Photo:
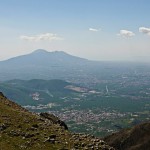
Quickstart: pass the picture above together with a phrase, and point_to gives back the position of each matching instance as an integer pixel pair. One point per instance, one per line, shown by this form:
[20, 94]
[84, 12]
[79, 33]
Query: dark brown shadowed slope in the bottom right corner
[136, 138]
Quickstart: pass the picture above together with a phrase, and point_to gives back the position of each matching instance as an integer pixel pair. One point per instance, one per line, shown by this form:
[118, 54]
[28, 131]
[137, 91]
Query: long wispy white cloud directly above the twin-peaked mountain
[41, 37]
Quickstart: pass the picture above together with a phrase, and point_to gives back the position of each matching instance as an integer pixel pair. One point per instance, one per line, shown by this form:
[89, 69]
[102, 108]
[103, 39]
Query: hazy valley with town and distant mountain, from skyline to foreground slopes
[90, 96]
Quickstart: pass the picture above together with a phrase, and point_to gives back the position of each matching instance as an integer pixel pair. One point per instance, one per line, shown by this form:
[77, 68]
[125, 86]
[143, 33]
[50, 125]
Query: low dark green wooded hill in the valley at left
[21, 91]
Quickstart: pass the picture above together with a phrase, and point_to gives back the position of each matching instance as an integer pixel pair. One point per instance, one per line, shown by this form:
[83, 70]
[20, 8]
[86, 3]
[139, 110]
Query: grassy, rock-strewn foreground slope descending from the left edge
[21, 129]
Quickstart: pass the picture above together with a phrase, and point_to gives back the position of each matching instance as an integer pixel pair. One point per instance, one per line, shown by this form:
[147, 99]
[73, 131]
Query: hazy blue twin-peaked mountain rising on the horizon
[41, 56]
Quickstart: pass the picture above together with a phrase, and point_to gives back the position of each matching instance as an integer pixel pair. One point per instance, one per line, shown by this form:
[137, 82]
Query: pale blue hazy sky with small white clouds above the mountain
[93, 29]
